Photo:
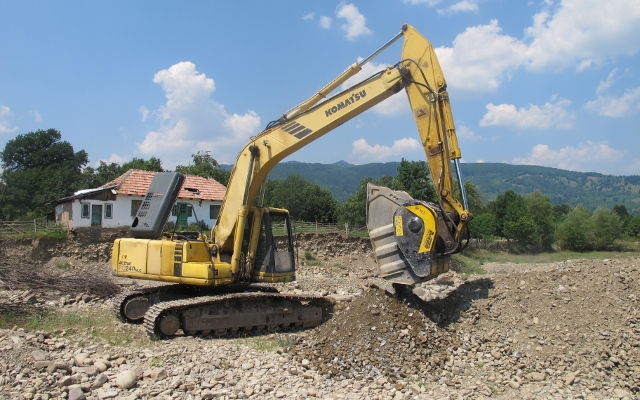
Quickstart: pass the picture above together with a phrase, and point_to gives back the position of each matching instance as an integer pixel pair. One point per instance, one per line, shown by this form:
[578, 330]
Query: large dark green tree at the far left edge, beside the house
[38, 167]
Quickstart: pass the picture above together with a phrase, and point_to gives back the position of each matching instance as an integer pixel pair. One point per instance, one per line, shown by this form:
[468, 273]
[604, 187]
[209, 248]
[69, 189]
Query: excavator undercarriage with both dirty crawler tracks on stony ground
[170, 310]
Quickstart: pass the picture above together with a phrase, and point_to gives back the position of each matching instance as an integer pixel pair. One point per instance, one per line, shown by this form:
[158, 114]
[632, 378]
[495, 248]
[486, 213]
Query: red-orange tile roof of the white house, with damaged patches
[136, 182]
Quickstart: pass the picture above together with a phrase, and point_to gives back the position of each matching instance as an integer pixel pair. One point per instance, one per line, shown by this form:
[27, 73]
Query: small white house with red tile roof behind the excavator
[114, 204]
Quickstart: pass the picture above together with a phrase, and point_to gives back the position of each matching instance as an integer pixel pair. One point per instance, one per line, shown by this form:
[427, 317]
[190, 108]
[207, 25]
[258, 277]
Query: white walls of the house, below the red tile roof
[121, 212]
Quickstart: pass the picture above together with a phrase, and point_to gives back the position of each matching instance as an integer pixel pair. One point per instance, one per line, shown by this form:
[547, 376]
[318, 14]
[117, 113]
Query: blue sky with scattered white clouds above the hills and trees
[553, 82]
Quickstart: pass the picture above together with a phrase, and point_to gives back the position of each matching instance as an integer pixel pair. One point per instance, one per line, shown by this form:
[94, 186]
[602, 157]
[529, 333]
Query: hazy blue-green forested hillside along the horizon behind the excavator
[587, 188]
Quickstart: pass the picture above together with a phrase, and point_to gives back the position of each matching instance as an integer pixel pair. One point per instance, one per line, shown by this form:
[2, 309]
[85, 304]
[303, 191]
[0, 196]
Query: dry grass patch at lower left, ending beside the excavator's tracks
[99, 324]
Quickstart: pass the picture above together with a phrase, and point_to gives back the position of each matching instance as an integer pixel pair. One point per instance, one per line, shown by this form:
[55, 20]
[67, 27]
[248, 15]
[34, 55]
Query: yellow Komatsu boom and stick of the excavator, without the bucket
[418, 73]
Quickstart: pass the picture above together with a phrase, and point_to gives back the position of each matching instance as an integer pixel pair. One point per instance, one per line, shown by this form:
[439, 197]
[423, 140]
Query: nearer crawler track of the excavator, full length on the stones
[237, 312]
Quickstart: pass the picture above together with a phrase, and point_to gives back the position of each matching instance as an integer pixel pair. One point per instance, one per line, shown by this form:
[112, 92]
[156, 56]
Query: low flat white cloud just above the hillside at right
[588, 156]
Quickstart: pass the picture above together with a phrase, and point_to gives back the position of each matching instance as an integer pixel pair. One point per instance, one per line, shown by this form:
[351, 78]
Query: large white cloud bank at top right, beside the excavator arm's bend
[576, 34]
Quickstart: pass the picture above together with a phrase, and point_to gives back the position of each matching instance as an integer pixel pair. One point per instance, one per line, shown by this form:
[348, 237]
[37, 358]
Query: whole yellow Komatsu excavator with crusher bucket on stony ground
[214, 278]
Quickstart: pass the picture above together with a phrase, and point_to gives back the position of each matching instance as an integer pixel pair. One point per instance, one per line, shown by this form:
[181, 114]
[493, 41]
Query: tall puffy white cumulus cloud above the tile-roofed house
[192, 120]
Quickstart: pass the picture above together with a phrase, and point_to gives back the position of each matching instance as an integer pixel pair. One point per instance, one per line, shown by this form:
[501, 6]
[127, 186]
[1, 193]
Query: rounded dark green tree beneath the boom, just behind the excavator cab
[305, 200]
